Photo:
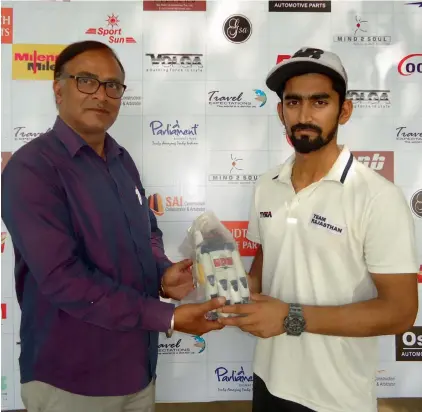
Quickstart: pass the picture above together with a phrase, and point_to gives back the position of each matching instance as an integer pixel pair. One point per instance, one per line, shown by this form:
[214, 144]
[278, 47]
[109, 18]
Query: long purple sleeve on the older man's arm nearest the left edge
[35, 211]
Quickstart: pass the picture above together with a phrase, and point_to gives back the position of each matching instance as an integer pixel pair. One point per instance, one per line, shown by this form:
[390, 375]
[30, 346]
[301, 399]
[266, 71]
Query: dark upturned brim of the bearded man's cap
[286, 70]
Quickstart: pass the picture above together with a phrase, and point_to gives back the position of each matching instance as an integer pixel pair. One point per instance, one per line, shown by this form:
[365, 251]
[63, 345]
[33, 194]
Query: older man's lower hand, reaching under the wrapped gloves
[191, 318]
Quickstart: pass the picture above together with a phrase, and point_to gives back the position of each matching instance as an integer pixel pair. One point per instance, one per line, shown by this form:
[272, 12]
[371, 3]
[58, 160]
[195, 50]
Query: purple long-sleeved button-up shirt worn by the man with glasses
[89, 259]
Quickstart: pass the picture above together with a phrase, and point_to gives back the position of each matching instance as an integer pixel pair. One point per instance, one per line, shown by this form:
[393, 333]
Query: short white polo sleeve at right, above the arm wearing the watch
[389, 244]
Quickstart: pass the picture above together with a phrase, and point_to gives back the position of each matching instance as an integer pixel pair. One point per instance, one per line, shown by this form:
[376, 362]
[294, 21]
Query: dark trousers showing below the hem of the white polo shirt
[264, 401]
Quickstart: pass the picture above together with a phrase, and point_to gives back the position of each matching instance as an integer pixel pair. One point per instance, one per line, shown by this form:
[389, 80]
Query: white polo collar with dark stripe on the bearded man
[337, 173]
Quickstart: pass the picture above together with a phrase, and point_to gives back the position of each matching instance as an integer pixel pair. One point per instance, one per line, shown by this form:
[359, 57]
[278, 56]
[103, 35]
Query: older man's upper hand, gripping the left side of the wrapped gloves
[177, 280]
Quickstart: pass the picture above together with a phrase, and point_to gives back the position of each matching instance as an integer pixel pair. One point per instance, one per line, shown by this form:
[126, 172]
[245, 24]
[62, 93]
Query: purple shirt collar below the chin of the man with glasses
[73, 142]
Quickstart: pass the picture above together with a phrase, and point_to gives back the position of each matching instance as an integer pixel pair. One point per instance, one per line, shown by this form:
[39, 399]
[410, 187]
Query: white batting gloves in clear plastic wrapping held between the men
[217, 267]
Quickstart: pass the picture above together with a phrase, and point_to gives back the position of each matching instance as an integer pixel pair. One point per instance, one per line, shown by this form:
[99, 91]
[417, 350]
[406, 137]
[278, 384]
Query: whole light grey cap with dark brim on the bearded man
[306, 60]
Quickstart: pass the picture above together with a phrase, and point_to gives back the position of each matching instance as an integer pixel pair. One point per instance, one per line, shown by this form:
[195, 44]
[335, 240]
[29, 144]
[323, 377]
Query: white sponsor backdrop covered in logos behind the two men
[202, 126]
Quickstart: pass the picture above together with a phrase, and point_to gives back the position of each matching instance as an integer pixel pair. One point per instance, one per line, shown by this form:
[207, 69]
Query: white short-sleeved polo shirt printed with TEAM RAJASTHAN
[319, 246]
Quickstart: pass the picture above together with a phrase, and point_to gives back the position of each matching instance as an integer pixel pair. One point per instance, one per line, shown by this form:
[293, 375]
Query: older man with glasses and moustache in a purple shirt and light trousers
[90, 262]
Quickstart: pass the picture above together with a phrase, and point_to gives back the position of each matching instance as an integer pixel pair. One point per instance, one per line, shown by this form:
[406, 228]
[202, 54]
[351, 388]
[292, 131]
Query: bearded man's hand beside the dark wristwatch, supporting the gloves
[263, 318]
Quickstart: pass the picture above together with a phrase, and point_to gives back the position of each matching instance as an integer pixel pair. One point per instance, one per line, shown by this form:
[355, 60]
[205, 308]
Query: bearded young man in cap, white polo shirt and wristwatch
[337, 261]
